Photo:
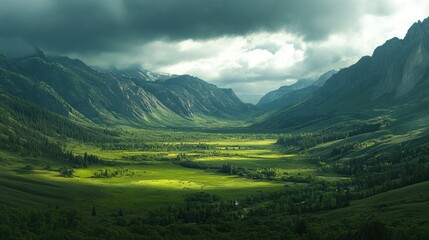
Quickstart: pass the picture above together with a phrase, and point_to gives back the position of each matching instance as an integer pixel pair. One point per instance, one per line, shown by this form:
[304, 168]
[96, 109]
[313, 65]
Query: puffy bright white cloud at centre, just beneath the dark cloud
[234, 59]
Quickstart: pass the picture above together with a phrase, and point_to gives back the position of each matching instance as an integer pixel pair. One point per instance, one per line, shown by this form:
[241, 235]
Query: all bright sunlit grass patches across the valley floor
[155, 183]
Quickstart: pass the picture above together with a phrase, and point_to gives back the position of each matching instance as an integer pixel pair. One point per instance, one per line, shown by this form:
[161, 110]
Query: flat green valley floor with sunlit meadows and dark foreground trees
[162, 181]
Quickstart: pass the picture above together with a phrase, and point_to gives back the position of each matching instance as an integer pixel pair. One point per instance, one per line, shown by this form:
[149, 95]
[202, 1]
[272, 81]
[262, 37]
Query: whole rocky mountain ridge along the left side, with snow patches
[73, 89]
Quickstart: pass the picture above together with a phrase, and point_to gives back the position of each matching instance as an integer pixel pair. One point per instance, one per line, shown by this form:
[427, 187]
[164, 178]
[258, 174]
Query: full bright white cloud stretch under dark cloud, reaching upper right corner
[256, 63]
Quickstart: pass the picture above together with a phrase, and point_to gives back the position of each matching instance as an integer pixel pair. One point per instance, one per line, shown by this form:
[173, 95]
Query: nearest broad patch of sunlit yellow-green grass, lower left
[151, 186]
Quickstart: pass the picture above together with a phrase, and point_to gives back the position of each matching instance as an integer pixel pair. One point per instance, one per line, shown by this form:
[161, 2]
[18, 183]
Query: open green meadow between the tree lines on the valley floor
[151, 184]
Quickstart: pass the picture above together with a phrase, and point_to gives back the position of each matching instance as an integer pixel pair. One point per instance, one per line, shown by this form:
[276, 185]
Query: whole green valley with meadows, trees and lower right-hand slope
[157, 179]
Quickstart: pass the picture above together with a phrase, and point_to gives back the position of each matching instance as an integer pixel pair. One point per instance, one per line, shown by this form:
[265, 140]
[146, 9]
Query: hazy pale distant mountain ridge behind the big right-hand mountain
[292, 94]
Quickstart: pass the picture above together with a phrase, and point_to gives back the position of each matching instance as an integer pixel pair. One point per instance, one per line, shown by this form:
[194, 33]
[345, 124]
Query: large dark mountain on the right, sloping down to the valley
[393, 81]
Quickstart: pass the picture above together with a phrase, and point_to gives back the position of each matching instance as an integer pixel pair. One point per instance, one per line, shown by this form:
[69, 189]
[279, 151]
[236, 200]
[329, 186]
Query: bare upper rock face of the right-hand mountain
[393, 71]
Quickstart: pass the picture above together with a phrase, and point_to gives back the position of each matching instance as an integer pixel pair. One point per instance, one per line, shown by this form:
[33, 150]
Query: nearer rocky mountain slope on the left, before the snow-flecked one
[95, 95]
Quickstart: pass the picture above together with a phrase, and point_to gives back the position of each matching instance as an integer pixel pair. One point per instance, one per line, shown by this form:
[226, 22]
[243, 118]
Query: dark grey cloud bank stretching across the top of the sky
[81, 26]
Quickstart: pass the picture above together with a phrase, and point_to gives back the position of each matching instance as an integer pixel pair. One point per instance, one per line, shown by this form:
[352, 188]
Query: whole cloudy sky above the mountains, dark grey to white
[251, 46]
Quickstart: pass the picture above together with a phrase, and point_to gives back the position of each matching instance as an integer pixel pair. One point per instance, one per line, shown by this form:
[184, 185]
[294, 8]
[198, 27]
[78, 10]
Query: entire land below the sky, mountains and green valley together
[134, 154]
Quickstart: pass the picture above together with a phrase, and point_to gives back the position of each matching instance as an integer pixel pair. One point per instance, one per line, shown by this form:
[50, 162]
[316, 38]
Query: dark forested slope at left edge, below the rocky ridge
[26, 128]
